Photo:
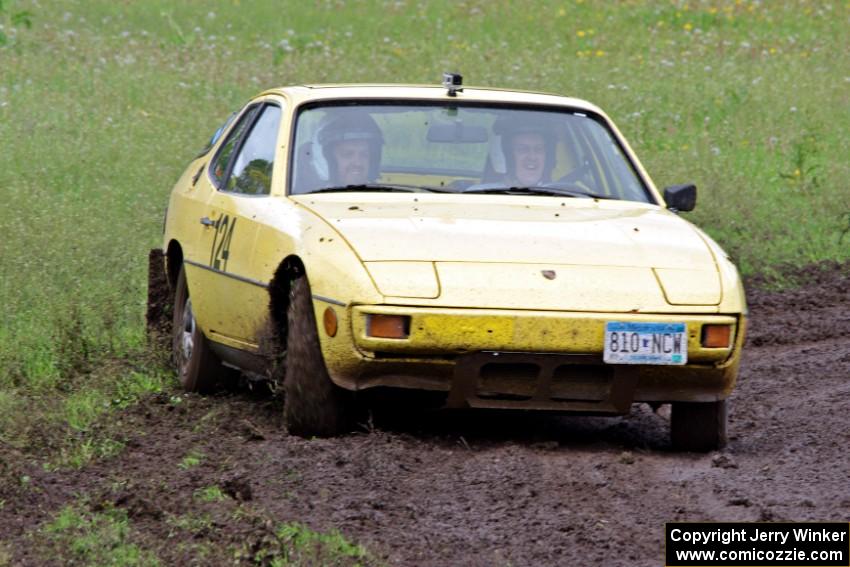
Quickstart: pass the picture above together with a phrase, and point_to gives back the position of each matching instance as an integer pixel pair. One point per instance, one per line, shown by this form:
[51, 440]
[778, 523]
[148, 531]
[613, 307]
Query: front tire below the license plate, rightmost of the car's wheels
[698, 426]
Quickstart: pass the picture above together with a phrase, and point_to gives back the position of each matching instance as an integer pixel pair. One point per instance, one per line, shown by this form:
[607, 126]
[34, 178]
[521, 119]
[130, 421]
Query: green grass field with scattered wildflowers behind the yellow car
[102, 104]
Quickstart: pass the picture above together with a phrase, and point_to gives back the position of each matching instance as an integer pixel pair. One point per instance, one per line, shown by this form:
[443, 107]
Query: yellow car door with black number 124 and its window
[231, 305]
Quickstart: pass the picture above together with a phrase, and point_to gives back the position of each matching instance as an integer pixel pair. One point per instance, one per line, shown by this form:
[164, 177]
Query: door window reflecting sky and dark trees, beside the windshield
[252, 171]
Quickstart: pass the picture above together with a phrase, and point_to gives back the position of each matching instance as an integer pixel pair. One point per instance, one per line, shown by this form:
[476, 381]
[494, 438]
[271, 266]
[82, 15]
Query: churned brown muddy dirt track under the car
[483, 489]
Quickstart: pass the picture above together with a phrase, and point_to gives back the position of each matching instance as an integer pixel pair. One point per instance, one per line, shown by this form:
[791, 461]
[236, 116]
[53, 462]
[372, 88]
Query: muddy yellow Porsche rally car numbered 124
[506, 249]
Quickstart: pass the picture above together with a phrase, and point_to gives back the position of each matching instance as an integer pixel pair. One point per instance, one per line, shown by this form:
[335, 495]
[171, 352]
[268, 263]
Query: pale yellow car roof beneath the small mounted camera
[306, 93]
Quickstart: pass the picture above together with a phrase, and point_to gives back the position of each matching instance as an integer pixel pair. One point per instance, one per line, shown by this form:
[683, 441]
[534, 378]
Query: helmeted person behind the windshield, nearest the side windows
[351, 144]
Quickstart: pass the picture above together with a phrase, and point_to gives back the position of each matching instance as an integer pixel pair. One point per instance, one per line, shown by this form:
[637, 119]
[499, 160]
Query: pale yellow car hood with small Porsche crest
[640, 253]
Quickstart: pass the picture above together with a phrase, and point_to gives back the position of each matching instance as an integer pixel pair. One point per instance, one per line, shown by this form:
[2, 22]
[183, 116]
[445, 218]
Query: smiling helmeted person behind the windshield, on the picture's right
[529, 149]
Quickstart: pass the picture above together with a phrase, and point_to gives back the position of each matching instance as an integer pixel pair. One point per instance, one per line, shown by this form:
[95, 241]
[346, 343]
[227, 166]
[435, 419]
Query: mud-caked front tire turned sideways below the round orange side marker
[313, 405]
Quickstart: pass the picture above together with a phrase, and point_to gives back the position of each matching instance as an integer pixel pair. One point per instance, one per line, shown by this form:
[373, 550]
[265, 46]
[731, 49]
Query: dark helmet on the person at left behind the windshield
[348, 125]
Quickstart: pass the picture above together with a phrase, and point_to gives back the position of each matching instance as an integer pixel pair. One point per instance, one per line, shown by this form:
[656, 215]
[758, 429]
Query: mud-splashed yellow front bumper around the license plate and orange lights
[525, 359]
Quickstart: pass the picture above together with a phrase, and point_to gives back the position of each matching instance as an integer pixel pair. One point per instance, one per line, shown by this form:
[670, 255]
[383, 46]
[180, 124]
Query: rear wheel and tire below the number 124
[198, 369]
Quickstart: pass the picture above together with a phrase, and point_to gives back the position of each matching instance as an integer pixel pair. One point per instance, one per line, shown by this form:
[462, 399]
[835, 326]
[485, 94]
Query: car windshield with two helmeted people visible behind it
[448, 147]
